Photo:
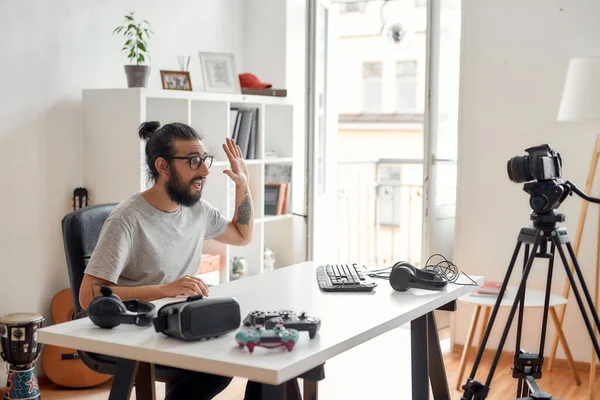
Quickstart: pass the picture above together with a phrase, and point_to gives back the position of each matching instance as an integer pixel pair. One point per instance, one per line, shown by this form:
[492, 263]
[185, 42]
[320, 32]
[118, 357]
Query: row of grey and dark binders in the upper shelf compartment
[243, 130]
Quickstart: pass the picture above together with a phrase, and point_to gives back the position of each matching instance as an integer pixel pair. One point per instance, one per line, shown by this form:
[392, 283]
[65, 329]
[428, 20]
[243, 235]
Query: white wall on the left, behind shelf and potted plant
[50, 51]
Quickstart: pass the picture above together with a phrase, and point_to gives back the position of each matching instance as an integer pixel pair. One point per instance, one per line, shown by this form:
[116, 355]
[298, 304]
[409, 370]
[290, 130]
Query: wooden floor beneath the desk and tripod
[360, 373]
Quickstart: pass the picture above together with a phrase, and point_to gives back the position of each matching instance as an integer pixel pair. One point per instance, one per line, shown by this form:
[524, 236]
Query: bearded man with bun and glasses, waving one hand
[150, 246]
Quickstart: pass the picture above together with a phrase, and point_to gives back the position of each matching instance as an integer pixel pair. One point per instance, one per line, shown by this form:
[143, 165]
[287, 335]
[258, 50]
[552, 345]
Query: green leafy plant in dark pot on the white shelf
[136, 34]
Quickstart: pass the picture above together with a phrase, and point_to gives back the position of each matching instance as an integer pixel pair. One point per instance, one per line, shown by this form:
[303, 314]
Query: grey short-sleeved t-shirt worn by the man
[142, 245]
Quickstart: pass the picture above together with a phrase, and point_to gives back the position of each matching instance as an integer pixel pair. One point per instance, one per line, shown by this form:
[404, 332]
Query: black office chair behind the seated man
[81, 230]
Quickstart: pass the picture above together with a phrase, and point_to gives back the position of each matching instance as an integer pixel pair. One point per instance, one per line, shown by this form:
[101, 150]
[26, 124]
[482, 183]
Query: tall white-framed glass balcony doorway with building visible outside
[382, 105]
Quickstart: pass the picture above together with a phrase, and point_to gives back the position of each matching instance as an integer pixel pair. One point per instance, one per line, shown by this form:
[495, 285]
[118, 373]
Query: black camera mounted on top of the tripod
[542, 163]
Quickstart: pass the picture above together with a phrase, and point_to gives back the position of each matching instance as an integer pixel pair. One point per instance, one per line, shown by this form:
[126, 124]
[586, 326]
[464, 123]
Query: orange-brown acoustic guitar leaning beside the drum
[61, 364]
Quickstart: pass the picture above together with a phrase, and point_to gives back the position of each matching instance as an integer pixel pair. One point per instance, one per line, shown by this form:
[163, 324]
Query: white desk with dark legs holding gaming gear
[347, 320]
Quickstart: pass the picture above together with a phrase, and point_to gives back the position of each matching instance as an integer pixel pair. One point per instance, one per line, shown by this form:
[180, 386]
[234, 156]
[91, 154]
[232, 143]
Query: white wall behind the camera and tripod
[514, 58]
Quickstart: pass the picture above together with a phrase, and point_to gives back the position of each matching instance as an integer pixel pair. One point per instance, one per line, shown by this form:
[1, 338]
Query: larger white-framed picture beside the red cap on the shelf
[219, 73]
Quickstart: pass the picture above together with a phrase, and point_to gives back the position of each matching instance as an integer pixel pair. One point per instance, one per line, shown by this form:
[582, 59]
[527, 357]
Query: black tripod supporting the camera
[527, 367]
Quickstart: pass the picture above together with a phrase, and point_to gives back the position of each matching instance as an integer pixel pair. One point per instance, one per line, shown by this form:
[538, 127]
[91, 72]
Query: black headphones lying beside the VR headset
[108, 311]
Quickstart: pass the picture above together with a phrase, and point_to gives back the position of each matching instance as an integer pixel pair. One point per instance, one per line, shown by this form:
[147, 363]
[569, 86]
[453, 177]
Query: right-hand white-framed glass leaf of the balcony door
[442, 128]
